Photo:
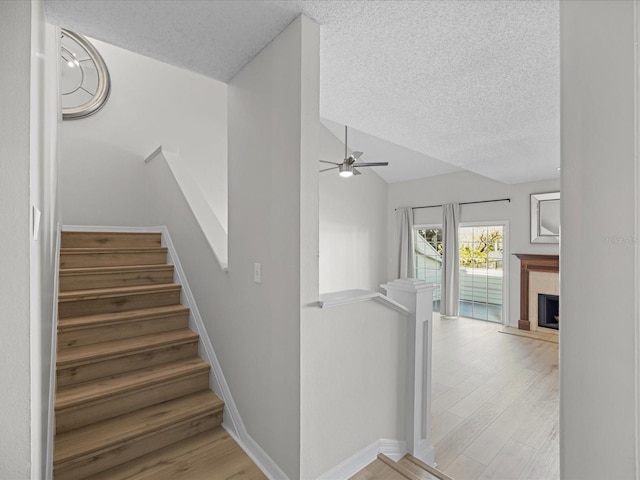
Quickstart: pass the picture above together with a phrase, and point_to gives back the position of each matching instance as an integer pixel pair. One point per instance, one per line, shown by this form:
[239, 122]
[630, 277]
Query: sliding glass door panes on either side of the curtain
[482, 263]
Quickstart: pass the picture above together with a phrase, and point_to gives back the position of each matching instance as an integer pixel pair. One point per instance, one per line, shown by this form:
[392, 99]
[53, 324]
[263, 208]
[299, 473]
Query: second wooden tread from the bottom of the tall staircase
[101, 388]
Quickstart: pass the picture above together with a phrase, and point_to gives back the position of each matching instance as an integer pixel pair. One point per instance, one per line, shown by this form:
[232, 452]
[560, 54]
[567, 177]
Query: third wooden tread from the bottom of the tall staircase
[116, 348]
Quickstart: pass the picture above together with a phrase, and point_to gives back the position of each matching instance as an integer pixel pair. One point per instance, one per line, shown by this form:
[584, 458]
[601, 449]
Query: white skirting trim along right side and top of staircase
[232, 421]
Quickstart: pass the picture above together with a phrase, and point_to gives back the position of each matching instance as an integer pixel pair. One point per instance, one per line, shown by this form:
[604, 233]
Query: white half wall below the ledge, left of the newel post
[353, 382]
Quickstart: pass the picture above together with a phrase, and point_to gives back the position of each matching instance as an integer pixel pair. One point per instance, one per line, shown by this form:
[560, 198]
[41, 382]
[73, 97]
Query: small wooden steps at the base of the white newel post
[408, 467]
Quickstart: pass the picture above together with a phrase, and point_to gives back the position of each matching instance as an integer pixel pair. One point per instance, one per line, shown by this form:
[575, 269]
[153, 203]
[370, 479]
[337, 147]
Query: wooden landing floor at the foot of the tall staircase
[213, 455]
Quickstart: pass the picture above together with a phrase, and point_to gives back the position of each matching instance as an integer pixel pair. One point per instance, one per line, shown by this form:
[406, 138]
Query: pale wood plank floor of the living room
[495, 403]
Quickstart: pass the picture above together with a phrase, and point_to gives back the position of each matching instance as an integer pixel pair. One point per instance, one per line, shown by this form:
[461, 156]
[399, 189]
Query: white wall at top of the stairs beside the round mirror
[151, 104]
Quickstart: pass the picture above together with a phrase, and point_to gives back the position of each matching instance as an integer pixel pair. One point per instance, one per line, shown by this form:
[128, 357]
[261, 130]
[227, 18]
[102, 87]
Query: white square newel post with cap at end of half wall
[417, 297]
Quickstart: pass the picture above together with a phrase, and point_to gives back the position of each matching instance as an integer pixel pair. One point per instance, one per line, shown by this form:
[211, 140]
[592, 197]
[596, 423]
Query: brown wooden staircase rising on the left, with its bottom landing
[132, 395]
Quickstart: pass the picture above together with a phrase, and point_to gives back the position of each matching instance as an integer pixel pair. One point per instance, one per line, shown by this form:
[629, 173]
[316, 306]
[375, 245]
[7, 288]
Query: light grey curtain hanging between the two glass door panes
[449, 290]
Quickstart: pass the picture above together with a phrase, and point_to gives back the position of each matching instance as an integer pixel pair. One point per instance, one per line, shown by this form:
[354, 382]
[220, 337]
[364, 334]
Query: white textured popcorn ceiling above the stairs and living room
[473, 84]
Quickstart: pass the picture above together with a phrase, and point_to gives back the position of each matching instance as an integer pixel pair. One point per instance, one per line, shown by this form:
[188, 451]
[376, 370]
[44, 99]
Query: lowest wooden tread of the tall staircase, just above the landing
[85, 441]
